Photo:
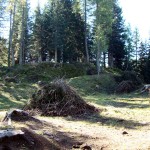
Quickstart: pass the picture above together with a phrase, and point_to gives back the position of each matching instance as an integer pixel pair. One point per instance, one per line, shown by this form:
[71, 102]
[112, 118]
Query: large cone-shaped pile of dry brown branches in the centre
[59, 99]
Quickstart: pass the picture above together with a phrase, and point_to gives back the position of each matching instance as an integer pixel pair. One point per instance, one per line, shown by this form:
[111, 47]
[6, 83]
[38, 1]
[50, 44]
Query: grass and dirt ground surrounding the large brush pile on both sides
[122, 124]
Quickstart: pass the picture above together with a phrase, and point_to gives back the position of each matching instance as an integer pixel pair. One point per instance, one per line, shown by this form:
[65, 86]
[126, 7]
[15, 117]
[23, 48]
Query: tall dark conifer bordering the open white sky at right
[116, 50]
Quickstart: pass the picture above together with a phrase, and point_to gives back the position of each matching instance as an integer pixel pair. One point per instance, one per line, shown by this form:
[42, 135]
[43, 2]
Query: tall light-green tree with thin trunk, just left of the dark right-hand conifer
[104, 11]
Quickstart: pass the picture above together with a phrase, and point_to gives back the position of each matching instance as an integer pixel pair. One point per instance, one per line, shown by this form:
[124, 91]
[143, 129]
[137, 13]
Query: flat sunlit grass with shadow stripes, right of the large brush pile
[122, 110]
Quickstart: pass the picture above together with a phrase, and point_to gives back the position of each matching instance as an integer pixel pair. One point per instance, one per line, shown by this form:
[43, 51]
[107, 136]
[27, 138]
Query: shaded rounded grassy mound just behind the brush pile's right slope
[90, 85]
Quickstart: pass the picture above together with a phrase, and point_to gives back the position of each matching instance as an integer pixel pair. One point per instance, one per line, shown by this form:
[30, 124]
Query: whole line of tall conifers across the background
[60, 32]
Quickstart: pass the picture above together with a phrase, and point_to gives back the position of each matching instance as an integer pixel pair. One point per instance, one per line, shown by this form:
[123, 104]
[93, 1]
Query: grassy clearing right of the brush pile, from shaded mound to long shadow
[127, 110]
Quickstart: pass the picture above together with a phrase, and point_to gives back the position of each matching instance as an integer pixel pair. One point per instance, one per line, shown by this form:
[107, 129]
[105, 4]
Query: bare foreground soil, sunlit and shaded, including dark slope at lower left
[50, 133]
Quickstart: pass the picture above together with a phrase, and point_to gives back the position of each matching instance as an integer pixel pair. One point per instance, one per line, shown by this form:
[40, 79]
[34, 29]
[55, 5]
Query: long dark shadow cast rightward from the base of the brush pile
[109, 121]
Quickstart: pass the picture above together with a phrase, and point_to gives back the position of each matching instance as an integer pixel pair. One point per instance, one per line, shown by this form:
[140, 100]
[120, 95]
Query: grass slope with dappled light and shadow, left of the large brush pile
[17, 95]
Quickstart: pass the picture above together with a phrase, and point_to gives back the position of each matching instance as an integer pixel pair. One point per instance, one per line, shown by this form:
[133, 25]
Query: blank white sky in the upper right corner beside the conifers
[137, 14]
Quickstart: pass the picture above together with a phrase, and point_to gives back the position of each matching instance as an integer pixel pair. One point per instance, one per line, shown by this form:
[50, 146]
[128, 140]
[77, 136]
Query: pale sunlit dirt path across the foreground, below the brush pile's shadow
[68, 132]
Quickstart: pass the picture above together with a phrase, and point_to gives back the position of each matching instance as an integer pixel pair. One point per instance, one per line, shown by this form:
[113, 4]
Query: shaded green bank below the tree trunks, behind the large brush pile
[45, 71]
